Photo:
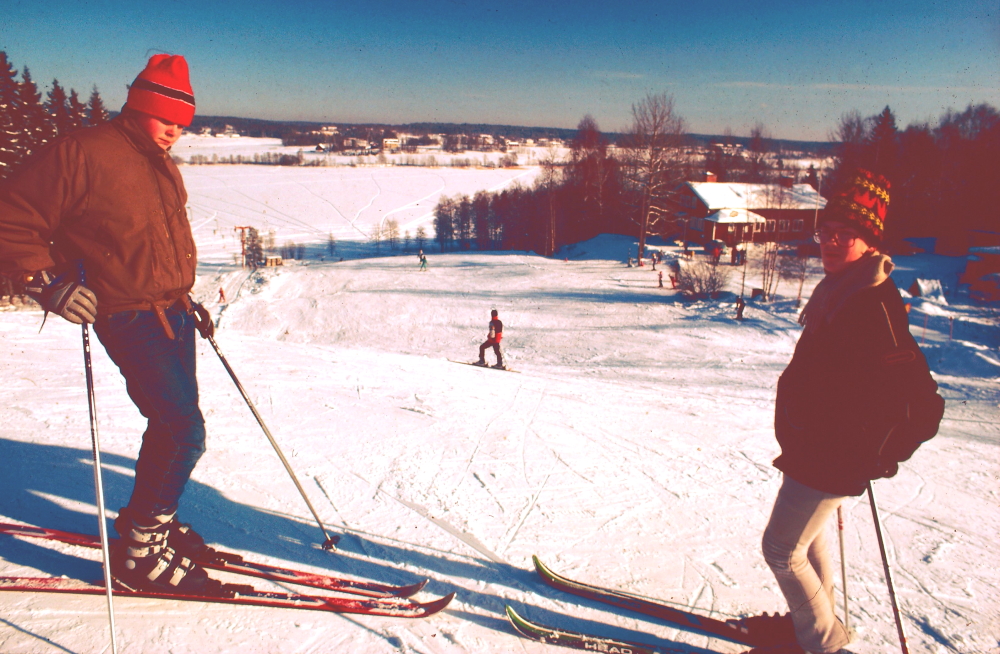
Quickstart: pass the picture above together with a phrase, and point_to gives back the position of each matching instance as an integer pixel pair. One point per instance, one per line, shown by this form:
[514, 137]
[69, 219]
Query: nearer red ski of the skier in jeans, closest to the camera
[394, 607]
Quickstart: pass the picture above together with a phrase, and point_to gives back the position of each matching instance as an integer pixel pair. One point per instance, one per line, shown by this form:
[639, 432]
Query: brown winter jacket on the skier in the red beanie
[110, 196]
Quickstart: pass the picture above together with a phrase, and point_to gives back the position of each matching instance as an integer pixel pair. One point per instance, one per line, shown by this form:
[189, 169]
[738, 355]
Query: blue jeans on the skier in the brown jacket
[160, 378]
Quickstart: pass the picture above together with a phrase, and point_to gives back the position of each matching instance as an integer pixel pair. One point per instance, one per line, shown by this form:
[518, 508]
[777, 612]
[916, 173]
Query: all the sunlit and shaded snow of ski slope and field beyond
[633, 448]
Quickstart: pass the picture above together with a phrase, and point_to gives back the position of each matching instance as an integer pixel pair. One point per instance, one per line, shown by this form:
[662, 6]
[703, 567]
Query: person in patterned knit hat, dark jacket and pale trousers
[856, 399]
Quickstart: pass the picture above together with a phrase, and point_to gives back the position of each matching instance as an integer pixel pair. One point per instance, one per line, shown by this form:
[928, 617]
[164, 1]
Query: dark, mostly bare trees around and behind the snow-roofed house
[941, 176]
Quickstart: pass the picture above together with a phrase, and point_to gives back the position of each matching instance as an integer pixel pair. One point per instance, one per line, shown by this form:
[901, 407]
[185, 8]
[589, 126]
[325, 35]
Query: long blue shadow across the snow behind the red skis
[53, 486]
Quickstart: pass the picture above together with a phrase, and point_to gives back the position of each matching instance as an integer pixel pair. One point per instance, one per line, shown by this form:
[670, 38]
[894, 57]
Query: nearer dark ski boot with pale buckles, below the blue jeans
[143, 561]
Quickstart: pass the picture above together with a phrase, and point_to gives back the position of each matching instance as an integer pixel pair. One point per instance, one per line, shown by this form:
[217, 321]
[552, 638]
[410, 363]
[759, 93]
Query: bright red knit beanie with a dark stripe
[163, 90]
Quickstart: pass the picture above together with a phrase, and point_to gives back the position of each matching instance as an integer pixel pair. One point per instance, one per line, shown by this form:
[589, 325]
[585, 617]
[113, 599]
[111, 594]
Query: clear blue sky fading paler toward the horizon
[794, 66]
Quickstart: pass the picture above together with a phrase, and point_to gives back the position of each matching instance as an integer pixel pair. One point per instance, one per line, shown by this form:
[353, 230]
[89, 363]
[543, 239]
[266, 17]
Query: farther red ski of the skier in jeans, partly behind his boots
[230, 562]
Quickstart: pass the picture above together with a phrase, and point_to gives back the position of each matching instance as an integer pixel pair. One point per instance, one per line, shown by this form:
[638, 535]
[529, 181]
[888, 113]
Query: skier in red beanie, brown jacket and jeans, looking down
[108, 200]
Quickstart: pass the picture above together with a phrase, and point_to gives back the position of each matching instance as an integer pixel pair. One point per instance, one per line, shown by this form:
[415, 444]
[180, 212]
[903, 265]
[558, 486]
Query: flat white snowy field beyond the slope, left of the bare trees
[307, 205]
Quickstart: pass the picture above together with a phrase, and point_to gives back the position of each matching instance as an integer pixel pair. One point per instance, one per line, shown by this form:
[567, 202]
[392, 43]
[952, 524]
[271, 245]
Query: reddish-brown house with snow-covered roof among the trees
[737, 212]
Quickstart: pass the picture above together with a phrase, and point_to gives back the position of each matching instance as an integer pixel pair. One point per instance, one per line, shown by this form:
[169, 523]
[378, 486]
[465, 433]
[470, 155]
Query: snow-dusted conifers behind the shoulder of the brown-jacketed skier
[27, 122]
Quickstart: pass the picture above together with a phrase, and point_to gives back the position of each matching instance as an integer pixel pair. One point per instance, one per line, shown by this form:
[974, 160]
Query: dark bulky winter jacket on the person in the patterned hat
[857, 397]
